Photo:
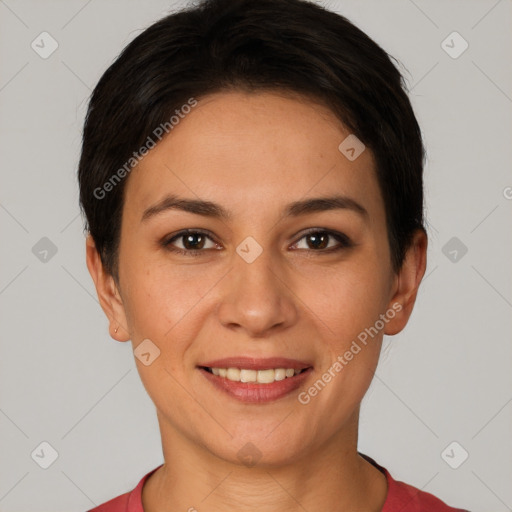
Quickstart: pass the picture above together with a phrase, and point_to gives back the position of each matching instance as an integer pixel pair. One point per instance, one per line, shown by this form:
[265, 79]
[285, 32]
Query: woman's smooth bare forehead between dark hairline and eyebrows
[253, 148]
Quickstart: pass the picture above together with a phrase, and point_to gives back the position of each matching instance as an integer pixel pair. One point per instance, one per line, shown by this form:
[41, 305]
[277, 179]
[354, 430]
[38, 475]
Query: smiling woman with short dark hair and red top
[251, 176]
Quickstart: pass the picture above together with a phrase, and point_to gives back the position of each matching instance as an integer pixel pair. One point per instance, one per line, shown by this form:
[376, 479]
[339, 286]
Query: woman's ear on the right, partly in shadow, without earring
[407, 282]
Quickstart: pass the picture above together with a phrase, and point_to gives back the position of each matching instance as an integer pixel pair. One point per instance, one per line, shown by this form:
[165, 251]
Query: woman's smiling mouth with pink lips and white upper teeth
[253, 380]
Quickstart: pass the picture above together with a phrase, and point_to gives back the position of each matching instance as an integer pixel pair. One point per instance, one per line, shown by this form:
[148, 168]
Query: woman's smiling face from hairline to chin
[276, 273]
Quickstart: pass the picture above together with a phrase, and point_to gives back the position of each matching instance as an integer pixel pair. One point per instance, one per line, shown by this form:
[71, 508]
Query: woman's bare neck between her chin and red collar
[333, 477]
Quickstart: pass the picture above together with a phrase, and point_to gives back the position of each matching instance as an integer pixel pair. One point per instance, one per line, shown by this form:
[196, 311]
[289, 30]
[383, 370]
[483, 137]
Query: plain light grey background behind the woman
[446, 378]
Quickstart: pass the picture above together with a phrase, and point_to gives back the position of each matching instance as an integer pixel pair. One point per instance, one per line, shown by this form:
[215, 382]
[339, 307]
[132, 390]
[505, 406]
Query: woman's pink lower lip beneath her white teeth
[250, 392]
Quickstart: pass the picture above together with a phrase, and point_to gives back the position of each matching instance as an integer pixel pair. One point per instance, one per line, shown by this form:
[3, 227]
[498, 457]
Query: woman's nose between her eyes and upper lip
[257, 299]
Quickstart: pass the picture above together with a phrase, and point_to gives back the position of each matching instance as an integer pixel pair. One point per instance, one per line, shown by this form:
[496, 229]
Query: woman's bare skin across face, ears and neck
[253, 154]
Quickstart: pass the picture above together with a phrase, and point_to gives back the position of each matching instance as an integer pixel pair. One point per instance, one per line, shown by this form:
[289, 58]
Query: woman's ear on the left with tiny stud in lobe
[108, 293]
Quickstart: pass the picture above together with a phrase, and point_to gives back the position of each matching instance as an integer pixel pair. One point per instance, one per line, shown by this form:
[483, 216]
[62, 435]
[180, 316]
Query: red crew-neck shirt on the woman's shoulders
[400, 498]
